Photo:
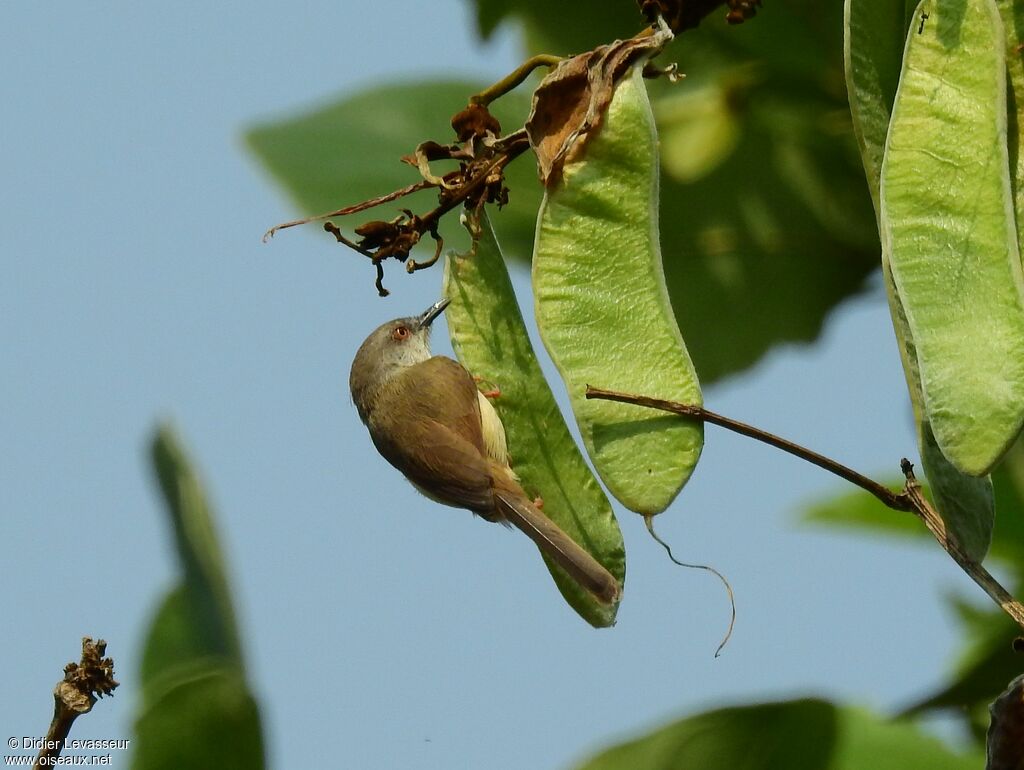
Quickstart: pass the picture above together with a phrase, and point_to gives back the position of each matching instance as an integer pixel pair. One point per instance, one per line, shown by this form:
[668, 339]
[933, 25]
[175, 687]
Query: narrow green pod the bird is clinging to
[490, 338]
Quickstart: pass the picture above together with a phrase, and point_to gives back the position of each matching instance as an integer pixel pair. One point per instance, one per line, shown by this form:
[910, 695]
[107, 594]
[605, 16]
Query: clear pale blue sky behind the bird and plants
[381, 630]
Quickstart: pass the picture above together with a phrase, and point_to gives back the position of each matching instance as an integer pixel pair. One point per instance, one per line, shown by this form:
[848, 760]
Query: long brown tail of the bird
[583, 568]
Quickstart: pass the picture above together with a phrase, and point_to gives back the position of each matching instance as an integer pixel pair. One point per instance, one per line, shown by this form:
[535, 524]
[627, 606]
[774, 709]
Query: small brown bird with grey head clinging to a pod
[429, 419]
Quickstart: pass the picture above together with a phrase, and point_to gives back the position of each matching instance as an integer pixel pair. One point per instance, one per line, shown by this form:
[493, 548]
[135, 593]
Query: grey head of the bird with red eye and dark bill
[391, 349]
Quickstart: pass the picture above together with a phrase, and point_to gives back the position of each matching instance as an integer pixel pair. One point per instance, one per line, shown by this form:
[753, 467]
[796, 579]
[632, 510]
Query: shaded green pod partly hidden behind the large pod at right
[876, 34]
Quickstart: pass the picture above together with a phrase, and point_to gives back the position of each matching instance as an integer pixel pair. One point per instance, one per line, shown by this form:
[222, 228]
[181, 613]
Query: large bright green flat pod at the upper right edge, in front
[948, 226]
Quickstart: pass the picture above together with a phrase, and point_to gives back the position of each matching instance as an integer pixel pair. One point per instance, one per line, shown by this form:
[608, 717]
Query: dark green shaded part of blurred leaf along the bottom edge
[791, 736]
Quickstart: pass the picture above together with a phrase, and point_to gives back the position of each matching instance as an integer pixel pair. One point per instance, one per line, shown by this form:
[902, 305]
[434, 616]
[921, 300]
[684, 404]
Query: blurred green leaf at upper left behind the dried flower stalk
[349, 152]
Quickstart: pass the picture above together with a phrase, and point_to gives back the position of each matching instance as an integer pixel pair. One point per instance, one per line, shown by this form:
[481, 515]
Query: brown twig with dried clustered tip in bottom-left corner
[75, 695]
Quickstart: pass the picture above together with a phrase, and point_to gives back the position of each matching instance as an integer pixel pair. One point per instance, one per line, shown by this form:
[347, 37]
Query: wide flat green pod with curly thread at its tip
[604, 310]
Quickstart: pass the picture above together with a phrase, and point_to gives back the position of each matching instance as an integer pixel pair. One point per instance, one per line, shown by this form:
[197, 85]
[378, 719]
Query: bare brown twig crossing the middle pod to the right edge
[911, 499]
